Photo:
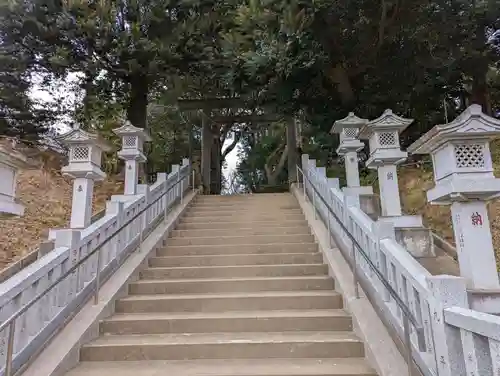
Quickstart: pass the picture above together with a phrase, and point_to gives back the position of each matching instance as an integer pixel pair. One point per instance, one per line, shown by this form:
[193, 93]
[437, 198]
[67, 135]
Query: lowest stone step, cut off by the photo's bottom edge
[229, 367]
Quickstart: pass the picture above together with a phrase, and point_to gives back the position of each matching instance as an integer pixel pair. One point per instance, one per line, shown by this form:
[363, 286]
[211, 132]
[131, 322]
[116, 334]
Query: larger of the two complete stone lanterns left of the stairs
[85, 153]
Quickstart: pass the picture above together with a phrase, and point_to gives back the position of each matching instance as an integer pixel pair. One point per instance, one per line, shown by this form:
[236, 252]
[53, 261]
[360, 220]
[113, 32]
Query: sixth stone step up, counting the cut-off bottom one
[235, 271]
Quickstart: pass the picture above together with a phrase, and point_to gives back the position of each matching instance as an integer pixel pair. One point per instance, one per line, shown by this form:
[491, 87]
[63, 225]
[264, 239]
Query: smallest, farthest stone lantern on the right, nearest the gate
[348, 130]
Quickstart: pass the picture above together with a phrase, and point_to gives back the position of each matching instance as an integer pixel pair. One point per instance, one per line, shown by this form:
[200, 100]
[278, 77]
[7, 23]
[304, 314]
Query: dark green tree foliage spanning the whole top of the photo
[310, 59]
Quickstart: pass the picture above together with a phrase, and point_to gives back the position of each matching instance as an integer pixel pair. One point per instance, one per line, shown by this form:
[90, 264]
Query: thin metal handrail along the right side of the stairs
[408, 316]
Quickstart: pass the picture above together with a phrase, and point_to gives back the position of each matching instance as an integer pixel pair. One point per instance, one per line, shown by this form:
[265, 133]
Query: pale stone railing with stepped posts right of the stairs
[409, 300]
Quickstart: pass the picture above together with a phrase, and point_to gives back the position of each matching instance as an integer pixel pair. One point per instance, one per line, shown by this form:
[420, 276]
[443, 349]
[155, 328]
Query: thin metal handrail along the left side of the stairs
[11, 321]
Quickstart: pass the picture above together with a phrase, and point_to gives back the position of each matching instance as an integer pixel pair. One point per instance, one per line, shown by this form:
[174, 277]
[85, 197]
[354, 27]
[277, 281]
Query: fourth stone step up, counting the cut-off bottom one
[219, 302]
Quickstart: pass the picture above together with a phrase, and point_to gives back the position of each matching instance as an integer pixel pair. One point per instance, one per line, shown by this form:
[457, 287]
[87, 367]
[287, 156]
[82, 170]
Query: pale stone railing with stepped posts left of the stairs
[29, 316]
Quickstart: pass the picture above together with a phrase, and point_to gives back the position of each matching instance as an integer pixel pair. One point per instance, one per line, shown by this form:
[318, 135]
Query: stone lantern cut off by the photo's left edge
[10, 162]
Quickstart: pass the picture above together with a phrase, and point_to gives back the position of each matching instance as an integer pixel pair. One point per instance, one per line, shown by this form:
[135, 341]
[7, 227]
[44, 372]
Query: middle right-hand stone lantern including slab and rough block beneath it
[385, 155]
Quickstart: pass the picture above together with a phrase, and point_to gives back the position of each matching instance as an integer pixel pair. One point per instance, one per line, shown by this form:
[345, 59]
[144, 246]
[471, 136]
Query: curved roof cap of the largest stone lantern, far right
[471, 124]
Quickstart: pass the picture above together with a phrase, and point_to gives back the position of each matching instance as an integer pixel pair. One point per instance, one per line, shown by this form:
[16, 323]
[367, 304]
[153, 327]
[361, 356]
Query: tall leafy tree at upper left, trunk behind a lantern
[125, 49]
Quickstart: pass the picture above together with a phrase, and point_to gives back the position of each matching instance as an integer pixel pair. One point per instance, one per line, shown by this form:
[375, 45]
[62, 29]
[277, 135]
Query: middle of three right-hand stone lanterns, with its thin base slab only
[385, 154]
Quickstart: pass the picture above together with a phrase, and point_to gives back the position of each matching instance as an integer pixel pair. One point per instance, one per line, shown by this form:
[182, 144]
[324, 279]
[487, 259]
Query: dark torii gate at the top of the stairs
[209, 104]
